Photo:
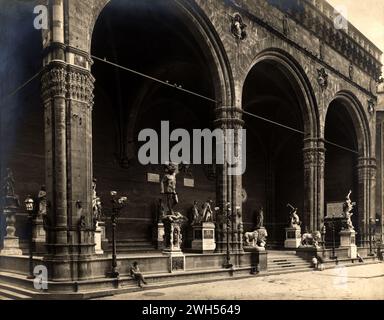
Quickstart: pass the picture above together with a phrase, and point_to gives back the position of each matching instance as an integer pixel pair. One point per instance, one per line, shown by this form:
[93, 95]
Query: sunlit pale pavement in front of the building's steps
[360, 282]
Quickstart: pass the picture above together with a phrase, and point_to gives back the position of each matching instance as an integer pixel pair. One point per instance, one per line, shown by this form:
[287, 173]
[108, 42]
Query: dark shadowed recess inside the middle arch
[275, 169]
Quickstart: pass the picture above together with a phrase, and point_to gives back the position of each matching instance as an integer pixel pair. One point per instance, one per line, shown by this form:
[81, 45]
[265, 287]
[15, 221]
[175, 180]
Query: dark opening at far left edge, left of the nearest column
[21, 113]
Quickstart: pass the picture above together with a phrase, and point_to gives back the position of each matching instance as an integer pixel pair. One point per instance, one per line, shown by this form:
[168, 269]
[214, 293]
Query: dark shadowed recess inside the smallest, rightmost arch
[341, 173]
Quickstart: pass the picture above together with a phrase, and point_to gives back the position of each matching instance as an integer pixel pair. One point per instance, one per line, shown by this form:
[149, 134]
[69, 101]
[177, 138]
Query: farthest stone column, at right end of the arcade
[366, 205]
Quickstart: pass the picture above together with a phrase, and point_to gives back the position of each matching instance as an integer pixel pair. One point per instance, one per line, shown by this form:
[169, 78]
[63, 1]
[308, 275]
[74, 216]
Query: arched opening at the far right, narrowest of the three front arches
[341, 171]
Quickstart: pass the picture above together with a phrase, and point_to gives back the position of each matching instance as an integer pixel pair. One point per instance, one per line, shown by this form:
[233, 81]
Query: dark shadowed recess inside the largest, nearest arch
[156, 38]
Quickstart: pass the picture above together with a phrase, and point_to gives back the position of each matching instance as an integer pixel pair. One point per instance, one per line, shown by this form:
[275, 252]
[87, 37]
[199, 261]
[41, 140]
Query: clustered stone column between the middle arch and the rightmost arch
[314, 162]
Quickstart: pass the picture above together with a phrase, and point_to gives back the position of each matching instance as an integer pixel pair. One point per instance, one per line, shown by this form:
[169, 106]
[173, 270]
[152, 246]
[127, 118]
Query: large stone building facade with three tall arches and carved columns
[285, 61]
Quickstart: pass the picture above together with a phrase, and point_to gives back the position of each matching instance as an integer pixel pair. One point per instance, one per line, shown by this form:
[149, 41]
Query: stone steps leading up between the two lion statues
[286, 262]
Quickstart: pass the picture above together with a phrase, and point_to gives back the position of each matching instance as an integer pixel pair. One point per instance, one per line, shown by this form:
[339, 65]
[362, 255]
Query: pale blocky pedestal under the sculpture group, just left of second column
[204, 238]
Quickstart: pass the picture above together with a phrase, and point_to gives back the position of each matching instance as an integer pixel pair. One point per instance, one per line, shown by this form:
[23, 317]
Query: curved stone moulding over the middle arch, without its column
[302, 85]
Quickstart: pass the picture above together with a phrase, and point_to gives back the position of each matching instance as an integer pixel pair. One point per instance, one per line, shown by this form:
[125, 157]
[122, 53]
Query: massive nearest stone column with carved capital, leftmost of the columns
[67, 86]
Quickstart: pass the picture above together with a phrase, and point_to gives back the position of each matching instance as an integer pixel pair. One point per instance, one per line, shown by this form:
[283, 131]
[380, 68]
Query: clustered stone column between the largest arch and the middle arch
[229, 187]
